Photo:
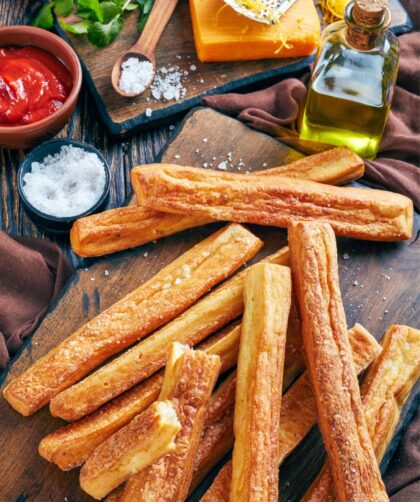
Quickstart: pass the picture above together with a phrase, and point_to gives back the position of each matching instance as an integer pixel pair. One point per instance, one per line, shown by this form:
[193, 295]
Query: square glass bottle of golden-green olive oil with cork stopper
[351, 87]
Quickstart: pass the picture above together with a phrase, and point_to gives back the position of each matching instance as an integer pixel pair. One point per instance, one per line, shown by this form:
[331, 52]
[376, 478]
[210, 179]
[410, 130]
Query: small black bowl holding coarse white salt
[55, 224]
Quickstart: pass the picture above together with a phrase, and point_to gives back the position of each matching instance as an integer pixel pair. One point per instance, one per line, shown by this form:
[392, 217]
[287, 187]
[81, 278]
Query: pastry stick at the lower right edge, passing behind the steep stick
[385, 388]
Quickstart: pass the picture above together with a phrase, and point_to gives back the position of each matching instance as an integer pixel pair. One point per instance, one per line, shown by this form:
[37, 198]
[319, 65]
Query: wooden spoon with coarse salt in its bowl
[144, 48]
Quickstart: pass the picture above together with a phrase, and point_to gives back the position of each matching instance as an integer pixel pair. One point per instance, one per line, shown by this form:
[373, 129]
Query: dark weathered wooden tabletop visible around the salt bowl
[84, 125]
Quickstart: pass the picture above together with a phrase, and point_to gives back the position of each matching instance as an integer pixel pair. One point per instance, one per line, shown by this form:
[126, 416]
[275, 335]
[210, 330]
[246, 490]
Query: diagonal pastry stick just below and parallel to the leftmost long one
[202, 319]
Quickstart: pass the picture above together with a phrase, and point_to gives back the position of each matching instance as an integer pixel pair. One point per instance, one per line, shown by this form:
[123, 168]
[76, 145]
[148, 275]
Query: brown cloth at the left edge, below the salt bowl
[32, 273]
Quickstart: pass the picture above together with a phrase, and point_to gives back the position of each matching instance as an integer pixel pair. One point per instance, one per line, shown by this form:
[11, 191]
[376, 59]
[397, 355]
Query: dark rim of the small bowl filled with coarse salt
[64, 219]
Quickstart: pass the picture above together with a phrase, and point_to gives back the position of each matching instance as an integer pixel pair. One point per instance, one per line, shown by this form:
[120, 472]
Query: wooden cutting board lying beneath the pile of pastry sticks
[377, 281]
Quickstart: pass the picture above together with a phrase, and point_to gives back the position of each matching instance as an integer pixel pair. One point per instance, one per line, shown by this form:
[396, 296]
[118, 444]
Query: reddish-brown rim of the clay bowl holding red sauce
[77, 77]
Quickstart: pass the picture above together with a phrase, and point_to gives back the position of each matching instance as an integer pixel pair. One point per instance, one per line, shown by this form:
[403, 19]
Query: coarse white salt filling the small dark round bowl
[67, 183]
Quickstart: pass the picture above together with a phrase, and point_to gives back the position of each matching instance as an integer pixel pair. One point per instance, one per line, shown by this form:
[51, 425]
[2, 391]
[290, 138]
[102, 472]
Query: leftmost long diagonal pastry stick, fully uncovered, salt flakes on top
[154, 303]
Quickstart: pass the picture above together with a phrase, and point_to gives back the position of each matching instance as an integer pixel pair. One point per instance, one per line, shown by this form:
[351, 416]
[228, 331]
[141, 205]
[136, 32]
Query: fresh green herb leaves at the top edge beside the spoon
[102, 21]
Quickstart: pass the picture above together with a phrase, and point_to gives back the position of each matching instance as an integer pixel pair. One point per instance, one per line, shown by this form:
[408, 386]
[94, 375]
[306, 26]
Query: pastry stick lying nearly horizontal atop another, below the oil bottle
[273, 200]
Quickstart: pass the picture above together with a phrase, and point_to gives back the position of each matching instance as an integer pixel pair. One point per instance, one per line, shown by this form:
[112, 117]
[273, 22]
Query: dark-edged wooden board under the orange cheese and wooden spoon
[176, 47]
